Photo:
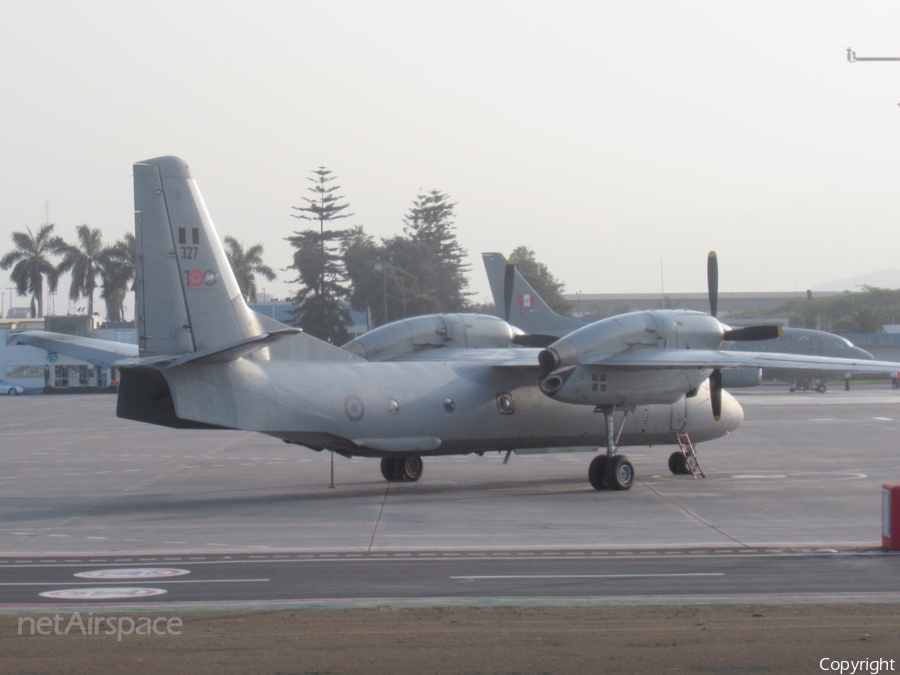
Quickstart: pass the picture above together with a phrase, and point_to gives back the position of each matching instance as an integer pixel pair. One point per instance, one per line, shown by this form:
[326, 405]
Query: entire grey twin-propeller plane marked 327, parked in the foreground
[430, 385]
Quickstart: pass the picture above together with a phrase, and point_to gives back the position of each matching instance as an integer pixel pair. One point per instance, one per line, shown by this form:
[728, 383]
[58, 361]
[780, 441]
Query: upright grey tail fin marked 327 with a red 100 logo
[187, 298]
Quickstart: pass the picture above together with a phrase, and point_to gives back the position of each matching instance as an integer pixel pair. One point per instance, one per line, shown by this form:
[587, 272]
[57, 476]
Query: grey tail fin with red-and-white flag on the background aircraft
[517, 302]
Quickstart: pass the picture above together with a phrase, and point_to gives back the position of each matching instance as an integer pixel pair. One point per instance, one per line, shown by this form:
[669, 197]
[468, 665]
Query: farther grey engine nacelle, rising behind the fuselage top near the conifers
[433, 331]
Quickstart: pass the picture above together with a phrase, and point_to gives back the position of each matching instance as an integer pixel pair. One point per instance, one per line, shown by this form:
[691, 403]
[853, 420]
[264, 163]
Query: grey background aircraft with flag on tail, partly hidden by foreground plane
[518, 303]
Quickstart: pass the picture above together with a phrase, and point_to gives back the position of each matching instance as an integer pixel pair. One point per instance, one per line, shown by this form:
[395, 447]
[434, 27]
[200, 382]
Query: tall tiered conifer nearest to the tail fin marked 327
[319, 306]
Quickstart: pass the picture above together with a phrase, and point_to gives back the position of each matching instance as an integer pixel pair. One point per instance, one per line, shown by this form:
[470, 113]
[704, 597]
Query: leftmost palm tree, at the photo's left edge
[30, 264]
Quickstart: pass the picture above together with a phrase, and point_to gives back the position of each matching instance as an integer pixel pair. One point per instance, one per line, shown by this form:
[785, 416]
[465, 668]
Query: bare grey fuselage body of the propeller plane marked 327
[422, 408]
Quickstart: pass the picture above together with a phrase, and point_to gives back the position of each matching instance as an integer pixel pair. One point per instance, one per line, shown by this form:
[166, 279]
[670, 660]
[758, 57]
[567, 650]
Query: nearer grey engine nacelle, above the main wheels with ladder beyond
[575, 368]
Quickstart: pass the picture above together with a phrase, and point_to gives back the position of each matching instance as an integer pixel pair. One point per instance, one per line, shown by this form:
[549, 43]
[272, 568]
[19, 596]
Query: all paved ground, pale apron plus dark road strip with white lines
[797, 488]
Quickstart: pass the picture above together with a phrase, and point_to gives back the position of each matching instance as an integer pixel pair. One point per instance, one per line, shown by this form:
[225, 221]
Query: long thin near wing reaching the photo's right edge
[710, 358]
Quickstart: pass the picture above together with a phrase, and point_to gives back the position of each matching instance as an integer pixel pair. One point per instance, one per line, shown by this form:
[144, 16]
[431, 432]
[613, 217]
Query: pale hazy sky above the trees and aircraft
[607, 136]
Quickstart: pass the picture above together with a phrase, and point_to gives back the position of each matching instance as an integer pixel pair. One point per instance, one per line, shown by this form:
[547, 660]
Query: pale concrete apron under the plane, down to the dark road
[803, 470]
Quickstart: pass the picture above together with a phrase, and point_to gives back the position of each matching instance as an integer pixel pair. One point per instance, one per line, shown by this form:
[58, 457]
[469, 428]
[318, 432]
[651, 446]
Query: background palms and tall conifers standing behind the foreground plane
[419, 271]
